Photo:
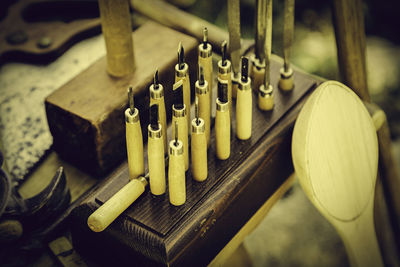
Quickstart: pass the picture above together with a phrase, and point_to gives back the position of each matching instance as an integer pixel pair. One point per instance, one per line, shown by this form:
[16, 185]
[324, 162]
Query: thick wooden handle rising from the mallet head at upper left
[117, 31]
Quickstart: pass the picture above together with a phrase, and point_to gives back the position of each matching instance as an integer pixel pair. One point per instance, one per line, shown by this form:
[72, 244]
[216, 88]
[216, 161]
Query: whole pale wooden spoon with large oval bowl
[335, 155]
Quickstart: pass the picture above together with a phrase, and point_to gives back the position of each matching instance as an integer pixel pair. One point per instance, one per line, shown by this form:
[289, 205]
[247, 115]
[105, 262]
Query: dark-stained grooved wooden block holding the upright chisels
[154, 232]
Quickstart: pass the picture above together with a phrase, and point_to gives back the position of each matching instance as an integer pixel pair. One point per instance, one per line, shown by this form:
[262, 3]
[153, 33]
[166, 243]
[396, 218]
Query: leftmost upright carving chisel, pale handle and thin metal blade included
[134, 139]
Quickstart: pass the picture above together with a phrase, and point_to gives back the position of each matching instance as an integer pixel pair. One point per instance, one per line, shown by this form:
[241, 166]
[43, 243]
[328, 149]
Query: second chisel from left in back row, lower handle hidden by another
[157, 97]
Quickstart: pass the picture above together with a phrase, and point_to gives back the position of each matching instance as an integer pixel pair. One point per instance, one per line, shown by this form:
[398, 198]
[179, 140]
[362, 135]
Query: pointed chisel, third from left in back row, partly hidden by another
[182, 74]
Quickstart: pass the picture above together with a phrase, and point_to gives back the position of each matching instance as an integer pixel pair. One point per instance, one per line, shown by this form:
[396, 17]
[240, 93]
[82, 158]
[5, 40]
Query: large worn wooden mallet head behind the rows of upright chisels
[86, 115]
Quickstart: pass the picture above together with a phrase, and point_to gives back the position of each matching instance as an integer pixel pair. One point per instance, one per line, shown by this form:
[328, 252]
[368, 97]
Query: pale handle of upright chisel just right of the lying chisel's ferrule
[156, 159]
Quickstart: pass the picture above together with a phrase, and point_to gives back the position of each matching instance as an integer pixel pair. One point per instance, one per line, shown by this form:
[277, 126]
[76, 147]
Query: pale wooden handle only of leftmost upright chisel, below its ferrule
[134, 146]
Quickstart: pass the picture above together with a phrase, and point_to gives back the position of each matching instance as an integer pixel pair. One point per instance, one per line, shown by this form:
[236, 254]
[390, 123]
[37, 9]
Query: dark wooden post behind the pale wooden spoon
[350, 40]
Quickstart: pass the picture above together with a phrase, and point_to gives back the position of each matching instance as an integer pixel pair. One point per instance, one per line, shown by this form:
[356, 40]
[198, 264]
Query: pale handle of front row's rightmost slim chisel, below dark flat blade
[243, 114]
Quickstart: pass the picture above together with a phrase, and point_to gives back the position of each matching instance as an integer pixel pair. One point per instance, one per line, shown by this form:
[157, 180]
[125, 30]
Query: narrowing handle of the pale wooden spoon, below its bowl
[359, 239]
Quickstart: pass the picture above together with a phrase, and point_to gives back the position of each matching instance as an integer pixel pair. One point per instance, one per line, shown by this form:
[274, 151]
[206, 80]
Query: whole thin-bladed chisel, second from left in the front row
[198, 146]
